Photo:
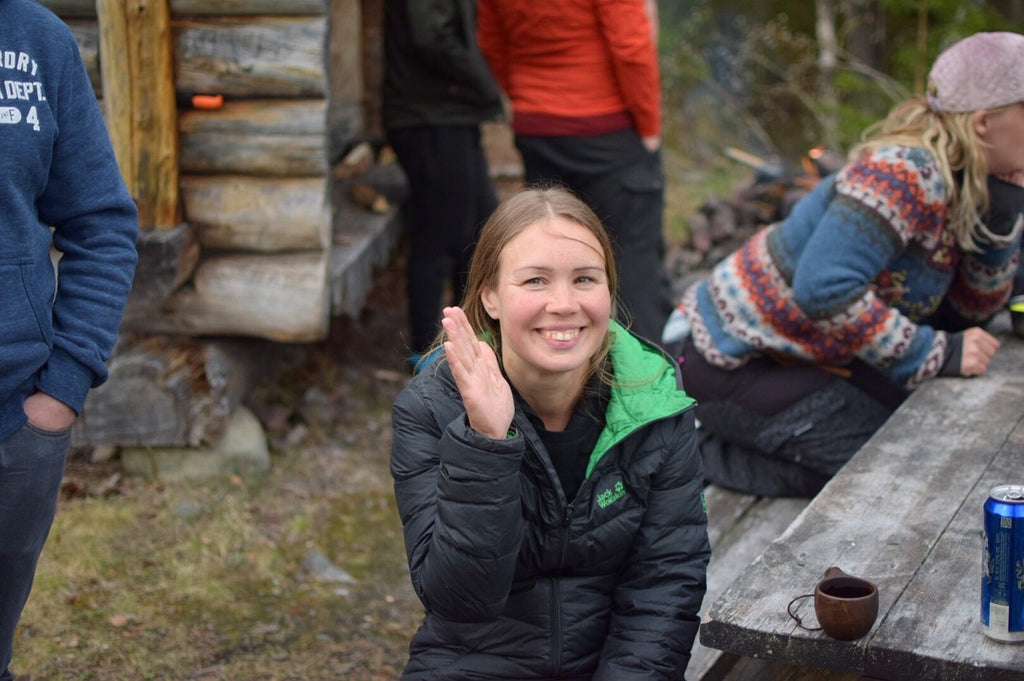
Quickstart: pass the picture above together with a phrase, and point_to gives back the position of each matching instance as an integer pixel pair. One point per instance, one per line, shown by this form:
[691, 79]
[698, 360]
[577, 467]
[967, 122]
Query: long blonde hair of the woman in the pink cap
[959, 152]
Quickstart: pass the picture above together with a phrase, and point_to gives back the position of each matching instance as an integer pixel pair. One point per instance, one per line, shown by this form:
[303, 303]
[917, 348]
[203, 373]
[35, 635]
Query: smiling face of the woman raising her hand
[552, 301]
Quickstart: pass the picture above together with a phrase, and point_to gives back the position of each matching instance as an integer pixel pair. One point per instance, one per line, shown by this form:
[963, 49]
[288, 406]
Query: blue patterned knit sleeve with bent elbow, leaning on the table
[881, 205]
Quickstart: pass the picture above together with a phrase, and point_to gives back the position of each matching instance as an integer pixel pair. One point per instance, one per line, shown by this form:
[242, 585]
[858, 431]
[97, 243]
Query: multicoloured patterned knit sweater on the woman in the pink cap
[855, 272]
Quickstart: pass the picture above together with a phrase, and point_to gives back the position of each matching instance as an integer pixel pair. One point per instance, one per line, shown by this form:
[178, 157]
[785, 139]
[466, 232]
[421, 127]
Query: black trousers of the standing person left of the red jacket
[450, 198]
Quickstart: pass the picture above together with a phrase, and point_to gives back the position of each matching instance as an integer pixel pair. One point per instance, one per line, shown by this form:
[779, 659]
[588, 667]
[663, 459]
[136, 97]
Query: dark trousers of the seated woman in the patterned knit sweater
[784, 431]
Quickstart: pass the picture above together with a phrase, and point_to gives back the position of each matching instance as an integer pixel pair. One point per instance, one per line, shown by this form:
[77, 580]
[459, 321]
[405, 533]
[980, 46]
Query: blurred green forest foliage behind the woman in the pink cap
[749, 76]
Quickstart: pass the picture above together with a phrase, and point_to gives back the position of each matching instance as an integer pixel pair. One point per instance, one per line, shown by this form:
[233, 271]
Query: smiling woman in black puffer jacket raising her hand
[546, 470]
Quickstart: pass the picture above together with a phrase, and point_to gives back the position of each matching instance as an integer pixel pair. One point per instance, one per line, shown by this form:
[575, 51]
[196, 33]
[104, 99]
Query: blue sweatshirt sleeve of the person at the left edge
[96, 229]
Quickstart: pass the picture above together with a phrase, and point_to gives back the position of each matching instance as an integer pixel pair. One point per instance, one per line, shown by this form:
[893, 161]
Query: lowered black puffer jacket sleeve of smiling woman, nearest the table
[657, 604]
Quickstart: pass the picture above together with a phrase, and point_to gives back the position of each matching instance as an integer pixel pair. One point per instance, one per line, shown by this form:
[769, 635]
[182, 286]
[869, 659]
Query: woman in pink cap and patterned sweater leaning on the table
[800, 345]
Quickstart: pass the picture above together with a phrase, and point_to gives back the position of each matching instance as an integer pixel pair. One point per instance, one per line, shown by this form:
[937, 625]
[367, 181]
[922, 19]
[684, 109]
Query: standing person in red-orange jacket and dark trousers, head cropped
[585, 87]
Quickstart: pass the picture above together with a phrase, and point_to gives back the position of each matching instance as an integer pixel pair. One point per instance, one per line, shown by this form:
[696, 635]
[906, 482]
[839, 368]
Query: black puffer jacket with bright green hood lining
[520, 583]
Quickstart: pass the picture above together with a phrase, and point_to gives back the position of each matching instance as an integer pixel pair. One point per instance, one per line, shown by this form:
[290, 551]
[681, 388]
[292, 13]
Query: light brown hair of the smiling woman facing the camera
[513, 217]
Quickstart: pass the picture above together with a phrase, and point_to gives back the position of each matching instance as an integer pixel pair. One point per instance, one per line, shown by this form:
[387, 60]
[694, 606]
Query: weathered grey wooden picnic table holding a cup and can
[906, 514]
